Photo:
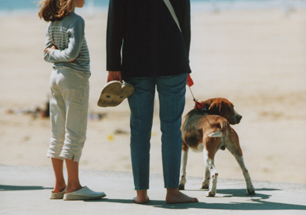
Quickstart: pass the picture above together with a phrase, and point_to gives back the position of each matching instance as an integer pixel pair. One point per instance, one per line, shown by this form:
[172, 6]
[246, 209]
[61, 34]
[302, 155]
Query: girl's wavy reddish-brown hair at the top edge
[52, 10]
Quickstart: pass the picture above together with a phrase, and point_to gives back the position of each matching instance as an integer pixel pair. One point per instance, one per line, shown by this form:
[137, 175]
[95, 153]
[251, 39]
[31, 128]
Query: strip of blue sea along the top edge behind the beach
[8, 7]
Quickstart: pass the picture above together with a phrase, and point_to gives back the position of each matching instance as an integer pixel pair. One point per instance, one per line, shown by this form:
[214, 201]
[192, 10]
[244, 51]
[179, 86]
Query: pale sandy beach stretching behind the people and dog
[255, 58]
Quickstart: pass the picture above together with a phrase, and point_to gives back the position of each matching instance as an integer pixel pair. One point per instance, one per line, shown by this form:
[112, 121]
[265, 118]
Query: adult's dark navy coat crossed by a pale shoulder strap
[143, 39]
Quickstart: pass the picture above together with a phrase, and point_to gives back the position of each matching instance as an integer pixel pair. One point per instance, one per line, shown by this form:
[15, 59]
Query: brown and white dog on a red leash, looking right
[209, 130]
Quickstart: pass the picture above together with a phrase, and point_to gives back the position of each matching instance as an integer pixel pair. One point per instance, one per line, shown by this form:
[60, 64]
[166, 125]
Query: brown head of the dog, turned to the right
[224, 108]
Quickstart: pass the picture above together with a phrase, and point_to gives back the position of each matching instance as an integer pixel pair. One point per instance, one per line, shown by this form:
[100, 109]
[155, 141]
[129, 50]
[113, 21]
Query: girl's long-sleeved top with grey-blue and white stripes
[68, 36]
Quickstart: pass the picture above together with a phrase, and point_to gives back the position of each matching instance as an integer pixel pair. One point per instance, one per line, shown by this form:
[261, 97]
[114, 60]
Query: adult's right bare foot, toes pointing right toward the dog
[175, 196]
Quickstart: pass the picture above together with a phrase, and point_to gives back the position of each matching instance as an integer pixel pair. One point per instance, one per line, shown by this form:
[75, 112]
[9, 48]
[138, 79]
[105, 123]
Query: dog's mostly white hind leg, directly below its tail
[209, 162]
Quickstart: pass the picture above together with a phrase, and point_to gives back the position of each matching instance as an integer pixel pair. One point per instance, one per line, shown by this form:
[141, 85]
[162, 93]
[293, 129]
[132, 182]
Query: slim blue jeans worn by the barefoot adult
[171, 92]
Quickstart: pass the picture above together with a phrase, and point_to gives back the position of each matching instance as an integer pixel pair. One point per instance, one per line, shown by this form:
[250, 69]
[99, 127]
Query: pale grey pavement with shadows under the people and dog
[26, 190]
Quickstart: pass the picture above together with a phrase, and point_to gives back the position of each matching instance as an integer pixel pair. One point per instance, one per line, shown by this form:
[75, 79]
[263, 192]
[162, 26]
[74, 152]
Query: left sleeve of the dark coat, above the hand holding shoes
[116, 26]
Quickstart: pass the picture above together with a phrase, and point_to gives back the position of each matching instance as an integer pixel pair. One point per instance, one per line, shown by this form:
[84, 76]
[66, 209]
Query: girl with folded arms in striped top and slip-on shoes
[66, 48]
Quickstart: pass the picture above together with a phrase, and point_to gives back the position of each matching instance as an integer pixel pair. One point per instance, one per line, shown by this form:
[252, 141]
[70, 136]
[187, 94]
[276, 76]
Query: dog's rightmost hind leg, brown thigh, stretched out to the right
[234, 147]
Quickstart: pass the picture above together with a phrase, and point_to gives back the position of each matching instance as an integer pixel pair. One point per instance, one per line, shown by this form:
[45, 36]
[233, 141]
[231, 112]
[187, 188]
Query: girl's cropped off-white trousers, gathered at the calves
[68, 113]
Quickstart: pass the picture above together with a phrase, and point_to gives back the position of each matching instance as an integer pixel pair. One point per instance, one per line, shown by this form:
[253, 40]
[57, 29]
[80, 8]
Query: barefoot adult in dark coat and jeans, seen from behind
[146, 49]
